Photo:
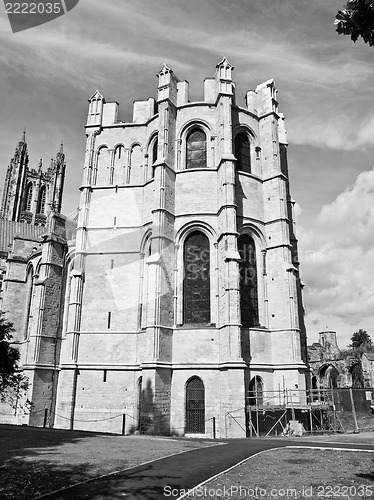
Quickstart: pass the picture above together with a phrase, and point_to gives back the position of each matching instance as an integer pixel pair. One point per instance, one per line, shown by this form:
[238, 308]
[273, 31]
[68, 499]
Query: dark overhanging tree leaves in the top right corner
[357, 19]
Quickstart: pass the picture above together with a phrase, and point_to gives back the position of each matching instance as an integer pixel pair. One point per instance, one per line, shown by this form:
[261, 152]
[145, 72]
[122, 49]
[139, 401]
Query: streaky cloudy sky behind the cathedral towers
[326, 91]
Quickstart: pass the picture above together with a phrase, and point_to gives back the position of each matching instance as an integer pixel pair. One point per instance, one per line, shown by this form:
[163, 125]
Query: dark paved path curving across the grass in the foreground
[181, 472]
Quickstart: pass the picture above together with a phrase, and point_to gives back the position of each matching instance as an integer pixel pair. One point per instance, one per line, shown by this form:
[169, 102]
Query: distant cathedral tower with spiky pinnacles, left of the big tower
[31, 195]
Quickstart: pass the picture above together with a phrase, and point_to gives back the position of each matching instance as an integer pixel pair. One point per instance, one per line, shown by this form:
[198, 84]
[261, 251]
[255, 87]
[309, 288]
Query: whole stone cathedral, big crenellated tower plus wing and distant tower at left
[175, 294]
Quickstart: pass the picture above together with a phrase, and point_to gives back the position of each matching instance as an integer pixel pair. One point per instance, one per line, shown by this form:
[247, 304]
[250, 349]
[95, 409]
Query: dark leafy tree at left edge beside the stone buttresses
[12, 383]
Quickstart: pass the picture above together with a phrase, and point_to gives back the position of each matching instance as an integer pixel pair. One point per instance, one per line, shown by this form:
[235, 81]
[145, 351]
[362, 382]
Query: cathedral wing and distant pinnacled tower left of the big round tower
[33, 248]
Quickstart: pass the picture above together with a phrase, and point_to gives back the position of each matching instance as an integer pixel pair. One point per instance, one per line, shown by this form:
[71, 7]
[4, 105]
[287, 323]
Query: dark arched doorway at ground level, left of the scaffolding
[195, 406]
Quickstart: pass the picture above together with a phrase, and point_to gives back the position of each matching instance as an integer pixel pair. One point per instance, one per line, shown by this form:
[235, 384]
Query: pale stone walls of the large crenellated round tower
[127, 346]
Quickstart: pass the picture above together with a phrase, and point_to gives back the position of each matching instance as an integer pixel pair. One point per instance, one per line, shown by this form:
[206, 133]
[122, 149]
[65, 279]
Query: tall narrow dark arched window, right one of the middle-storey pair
[248, 281]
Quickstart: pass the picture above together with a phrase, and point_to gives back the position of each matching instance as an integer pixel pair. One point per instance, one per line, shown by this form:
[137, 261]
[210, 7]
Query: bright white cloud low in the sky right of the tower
[338, 256]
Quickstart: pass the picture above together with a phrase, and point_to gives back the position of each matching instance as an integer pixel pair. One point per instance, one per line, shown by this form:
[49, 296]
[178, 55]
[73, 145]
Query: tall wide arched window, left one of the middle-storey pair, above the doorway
[196, 282]
